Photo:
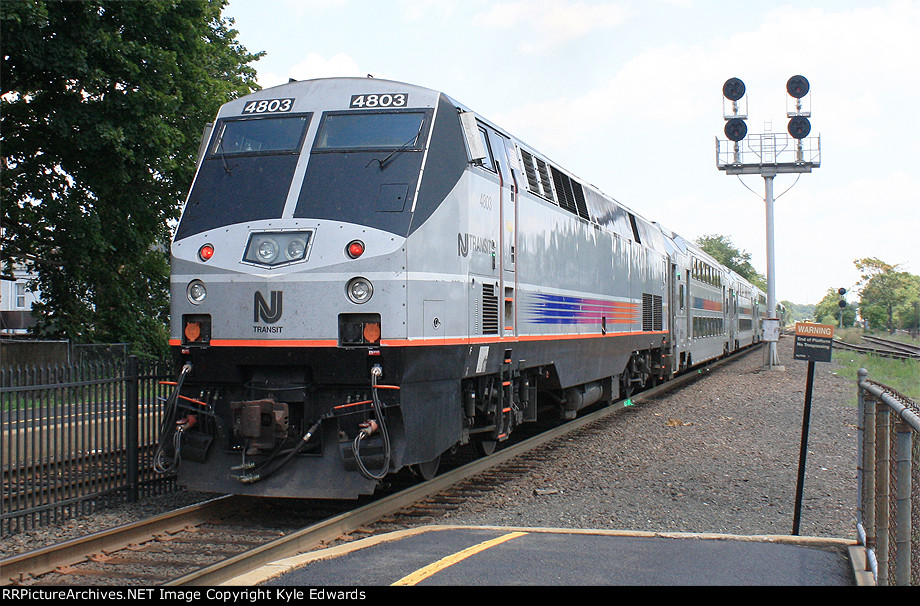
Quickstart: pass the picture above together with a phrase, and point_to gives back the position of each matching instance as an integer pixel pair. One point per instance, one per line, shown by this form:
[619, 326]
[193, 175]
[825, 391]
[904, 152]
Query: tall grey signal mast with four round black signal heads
[768, 154]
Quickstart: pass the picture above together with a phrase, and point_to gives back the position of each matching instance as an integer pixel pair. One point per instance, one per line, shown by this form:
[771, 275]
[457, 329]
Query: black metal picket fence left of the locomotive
[75, 438]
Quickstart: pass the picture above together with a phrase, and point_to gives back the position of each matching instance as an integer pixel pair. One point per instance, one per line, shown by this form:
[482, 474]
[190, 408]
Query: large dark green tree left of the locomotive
[103, 105]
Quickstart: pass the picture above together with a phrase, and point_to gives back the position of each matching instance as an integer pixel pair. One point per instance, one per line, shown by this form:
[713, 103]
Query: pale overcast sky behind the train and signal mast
[627, 95]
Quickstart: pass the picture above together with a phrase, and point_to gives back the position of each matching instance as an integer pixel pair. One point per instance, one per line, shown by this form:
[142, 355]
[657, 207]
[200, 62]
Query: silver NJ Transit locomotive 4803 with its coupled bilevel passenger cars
[367, 274]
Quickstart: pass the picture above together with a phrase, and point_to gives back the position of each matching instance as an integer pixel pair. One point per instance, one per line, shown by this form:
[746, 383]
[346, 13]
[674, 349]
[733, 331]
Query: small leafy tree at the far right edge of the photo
[888, 297]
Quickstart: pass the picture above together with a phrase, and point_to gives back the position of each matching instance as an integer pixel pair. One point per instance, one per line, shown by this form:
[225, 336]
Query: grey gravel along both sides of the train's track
[720, 456]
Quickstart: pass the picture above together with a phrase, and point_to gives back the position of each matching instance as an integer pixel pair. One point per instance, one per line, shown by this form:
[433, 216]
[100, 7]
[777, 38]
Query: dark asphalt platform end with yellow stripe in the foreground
[501, 556]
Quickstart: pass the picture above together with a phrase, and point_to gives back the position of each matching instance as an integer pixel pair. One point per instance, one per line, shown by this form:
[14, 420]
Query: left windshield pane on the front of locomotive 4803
[275, 135]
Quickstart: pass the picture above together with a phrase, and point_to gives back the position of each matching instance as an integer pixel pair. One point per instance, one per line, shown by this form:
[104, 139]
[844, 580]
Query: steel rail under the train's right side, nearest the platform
[315, 535]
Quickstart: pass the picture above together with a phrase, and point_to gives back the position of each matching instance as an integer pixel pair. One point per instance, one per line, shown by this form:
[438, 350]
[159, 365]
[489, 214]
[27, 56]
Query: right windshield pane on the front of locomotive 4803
[366, 131]
